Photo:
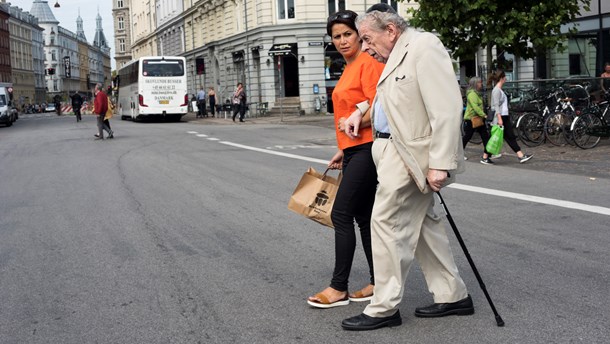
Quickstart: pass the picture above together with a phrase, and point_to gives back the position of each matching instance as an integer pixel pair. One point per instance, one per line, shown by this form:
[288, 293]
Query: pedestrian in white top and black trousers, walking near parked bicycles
[499, 105]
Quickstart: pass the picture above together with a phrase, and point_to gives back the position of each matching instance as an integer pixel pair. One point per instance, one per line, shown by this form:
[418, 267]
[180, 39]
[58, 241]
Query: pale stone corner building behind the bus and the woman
[277, 48]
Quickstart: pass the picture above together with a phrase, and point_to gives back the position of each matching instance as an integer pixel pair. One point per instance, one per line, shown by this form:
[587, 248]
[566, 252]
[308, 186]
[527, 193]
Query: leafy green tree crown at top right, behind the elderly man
[524, 28]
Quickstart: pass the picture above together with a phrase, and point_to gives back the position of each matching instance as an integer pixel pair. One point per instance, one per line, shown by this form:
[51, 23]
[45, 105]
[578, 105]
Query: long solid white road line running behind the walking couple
[476, 189]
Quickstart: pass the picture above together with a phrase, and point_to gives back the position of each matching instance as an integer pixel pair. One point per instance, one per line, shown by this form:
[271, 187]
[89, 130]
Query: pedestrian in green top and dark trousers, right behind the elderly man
[474, 111]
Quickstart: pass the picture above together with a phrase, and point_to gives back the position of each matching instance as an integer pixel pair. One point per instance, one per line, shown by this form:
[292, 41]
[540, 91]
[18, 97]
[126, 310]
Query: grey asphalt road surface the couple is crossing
[179, 233]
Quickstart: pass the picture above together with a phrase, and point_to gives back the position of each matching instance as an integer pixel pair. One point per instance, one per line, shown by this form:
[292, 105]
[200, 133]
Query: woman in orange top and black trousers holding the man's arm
[356, 192]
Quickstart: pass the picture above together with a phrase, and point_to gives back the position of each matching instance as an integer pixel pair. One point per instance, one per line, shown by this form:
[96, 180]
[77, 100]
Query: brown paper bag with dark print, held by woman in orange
[314, 196]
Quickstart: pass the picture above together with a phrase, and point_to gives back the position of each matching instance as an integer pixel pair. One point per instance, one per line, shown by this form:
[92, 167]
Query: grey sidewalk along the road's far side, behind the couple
[591, 163]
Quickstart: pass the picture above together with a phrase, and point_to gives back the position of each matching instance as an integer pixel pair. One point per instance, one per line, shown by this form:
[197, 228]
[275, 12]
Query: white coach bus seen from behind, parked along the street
[153, 86]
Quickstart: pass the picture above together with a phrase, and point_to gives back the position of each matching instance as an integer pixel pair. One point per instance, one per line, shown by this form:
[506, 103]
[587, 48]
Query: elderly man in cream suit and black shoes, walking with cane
[417, 147]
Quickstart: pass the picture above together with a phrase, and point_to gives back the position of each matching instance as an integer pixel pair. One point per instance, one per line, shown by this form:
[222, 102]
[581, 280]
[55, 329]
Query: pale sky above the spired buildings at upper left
[68, 12]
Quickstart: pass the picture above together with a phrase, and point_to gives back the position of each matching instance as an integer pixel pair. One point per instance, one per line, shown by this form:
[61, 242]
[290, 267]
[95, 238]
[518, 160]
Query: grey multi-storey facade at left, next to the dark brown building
[25, 55]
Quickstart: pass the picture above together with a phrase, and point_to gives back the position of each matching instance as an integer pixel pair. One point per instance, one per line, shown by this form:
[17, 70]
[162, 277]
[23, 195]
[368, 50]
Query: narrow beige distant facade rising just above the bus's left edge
[121, 15]
